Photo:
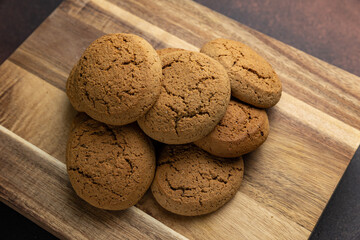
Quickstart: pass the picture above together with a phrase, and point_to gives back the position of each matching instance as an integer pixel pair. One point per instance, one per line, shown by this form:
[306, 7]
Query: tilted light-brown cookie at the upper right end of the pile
[252, 78]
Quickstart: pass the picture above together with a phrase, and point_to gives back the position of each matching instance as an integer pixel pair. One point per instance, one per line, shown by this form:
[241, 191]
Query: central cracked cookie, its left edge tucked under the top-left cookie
[194, 95]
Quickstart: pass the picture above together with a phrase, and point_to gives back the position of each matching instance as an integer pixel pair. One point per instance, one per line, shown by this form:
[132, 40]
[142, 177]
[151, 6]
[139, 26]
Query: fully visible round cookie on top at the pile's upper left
[116, 80]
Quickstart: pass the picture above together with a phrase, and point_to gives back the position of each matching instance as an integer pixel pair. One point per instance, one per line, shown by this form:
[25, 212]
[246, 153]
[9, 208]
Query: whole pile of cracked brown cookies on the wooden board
[202, 110]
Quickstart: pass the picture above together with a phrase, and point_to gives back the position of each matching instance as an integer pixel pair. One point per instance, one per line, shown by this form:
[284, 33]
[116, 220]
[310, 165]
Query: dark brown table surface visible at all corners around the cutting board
[328, 30]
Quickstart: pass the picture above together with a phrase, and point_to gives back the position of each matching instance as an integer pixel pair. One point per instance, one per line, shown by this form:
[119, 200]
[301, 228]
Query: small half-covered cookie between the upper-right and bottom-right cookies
[242, 130]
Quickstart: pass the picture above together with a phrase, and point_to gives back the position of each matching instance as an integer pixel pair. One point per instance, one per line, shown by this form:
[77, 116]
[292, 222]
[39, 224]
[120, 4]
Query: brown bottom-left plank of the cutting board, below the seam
[37, 184]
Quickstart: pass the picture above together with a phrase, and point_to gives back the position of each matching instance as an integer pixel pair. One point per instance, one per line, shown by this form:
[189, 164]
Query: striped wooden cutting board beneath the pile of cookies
[315, 129]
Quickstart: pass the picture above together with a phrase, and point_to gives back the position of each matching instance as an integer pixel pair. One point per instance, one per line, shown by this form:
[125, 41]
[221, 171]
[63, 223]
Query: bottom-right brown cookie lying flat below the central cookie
[191, 182]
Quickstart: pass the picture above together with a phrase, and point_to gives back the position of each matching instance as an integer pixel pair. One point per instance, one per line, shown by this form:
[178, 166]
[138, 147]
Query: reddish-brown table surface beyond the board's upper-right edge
[328, 30]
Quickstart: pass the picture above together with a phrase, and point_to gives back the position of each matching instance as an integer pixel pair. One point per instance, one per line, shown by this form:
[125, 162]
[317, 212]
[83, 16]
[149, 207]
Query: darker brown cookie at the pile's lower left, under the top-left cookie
[109, 167]
